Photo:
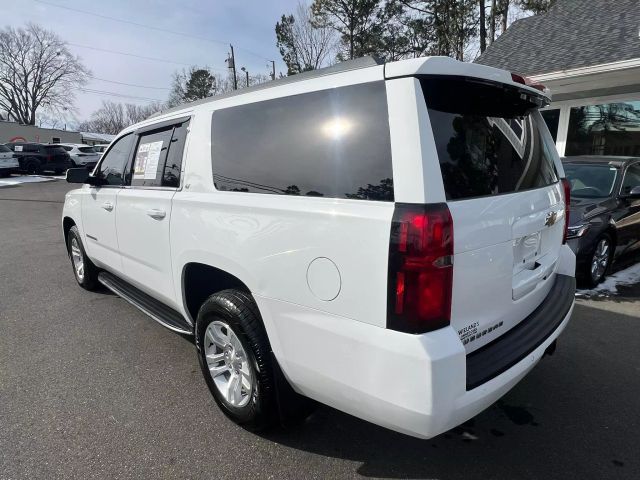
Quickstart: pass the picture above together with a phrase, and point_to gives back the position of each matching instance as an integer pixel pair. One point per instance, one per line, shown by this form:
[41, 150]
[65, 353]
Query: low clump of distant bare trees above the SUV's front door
[112, 117]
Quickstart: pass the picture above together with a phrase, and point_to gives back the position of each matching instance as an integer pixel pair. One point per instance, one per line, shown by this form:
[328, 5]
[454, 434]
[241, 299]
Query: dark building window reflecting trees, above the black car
[606, 129]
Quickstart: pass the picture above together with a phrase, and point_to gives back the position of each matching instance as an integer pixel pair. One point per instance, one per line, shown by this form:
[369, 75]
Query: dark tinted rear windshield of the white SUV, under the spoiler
[489, 142]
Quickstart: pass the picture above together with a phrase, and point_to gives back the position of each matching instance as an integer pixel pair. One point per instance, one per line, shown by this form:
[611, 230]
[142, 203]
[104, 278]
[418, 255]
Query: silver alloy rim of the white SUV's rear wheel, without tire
[228, 364]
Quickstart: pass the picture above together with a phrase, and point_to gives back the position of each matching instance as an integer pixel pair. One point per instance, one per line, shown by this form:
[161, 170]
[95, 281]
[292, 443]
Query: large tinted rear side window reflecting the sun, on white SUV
[332, 143]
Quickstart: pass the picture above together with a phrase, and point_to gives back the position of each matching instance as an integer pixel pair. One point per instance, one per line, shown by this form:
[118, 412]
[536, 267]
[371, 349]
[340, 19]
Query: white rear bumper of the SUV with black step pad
[414, 384]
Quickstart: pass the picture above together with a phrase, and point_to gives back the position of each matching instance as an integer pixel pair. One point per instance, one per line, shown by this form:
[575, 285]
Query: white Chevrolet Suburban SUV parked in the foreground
[387, 239]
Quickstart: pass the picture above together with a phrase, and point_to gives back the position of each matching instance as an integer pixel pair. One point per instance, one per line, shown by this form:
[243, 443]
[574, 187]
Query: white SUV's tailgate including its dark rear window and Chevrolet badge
[498, 169]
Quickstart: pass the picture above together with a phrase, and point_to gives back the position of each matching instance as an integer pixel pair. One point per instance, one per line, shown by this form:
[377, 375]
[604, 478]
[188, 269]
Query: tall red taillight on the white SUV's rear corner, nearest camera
[420, 268]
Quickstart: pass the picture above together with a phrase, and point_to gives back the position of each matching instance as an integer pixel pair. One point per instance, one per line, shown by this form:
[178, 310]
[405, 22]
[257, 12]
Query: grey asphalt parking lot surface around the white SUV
[92, 388]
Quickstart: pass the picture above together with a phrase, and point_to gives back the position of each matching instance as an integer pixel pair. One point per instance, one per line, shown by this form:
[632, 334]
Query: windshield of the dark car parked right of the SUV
[591, 181]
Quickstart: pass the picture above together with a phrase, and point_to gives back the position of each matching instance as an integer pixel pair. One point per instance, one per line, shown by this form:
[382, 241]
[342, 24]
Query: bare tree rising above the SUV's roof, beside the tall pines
[302, 45]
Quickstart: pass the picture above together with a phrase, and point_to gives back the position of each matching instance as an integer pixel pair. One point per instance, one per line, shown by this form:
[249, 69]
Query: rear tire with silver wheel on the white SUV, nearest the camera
[235, 358]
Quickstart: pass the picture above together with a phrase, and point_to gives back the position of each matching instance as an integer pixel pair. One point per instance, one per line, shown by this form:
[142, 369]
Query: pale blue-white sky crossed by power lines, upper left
[247, 24]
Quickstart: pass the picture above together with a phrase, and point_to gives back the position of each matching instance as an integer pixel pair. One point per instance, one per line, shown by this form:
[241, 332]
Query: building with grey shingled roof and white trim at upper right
[588, 55]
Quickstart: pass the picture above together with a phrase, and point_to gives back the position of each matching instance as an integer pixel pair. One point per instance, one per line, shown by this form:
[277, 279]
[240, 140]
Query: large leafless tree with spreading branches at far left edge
[36, 71]
